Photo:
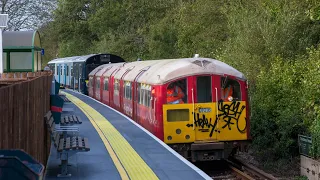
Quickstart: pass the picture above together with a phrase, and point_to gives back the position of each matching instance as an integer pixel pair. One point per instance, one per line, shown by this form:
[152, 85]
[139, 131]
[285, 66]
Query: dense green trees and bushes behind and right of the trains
[274, 43]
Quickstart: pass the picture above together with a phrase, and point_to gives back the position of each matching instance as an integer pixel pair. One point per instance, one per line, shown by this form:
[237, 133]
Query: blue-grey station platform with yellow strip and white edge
[119, 148]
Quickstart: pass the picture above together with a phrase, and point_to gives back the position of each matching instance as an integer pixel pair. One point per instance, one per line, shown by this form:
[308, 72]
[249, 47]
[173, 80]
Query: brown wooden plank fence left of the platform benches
[24, 100]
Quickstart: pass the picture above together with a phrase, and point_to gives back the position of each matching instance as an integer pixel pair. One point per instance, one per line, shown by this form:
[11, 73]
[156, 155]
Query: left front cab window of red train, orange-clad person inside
[177, 92]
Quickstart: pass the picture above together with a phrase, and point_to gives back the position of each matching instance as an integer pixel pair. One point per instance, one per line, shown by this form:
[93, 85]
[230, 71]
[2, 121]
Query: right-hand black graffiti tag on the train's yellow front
[230, 114]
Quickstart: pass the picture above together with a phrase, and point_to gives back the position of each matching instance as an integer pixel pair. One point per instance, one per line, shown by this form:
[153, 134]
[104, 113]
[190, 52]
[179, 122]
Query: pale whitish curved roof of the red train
[162, 71]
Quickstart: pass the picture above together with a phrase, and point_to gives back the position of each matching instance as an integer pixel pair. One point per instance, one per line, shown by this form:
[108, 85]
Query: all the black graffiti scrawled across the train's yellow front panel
[228, 115]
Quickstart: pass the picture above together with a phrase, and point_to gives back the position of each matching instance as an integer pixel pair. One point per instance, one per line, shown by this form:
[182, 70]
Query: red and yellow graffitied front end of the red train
[209, 117]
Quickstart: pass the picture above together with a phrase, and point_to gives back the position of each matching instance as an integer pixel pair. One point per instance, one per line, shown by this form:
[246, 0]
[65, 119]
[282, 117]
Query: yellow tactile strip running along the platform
[131, 164]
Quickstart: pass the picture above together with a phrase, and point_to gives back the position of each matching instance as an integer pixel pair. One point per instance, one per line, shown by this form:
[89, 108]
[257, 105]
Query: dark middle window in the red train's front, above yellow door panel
[204, 92]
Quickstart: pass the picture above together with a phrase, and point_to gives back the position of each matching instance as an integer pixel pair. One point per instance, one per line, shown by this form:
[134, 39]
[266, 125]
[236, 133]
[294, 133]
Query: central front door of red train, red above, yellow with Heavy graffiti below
[204, 109]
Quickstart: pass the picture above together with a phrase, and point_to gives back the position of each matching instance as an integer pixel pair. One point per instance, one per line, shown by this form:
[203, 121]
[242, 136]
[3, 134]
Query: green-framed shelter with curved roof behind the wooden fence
[21, 51]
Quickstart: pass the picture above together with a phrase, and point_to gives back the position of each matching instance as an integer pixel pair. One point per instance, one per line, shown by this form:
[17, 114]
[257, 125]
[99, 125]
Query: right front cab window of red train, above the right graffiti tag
[230, 89]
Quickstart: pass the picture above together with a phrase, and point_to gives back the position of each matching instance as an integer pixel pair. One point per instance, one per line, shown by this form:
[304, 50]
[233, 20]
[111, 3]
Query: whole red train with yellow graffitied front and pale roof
[198, 106]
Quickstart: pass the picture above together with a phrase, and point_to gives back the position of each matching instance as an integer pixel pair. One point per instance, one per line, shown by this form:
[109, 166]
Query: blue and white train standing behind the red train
[73, 72]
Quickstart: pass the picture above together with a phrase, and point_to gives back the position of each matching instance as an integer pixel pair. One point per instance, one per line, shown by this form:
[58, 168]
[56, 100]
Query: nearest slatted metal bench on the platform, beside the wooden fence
[66, 146]
